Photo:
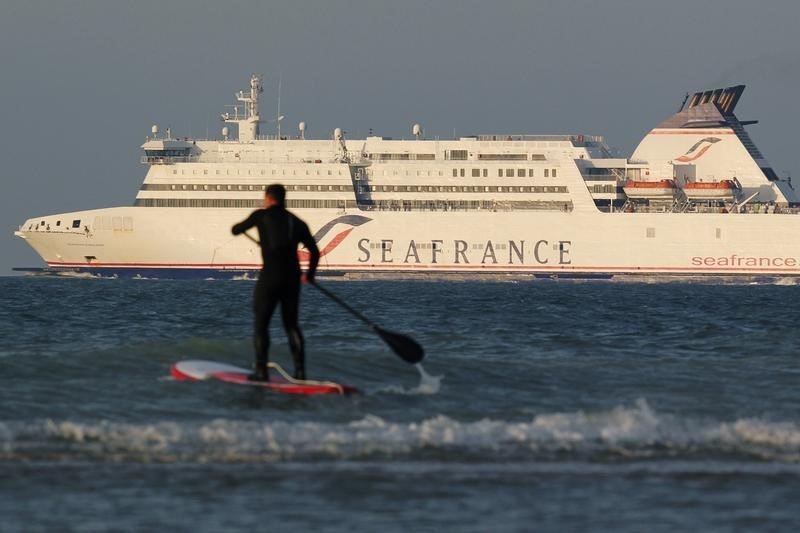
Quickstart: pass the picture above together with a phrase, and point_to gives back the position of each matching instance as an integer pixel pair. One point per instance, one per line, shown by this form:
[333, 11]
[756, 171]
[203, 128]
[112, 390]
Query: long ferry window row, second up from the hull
[364, 188]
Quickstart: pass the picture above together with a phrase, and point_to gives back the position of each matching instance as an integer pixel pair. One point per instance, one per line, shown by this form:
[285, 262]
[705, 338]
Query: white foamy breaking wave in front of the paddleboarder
[632, 433]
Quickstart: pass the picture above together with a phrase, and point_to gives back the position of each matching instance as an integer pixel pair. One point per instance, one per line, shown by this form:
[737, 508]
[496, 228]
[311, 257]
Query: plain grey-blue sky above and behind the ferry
[81, 82]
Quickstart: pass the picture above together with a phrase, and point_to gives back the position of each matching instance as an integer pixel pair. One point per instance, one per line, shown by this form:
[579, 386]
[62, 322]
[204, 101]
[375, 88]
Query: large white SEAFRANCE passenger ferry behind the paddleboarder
[695, 198]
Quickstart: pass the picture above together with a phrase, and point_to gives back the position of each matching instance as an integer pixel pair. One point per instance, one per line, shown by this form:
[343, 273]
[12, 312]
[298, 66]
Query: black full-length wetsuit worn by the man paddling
[280, 232]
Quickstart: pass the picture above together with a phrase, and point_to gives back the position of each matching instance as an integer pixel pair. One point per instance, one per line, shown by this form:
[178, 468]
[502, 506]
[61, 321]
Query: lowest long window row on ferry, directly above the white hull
[376, 205]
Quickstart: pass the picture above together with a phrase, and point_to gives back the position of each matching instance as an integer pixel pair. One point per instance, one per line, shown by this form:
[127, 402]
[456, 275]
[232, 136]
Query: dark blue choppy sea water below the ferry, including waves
[548, 406]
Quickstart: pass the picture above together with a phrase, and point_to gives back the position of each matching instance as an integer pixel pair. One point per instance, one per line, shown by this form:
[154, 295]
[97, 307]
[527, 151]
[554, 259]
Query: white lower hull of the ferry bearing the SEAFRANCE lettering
[174, 242]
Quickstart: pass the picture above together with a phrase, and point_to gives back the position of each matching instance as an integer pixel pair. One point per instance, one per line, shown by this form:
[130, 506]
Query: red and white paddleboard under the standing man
[197, 370]
